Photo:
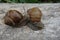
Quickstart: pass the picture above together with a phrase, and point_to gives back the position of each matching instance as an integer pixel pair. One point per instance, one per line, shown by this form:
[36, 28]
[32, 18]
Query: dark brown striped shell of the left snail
[13, 17]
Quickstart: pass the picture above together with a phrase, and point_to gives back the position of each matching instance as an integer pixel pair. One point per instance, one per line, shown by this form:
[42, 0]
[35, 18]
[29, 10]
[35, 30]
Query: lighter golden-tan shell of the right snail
[35, 14]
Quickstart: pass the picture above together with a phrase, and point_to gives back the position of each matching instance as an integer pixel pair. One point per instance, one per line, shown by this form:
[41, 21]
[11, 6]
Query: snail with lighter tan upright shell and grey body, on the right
[35, 15]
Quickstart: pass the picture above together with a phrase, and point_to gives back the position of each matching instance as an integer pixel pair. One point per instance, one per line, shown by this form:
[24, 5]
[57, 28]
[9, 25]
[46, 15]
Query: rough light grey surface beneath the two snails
[50, 19]
